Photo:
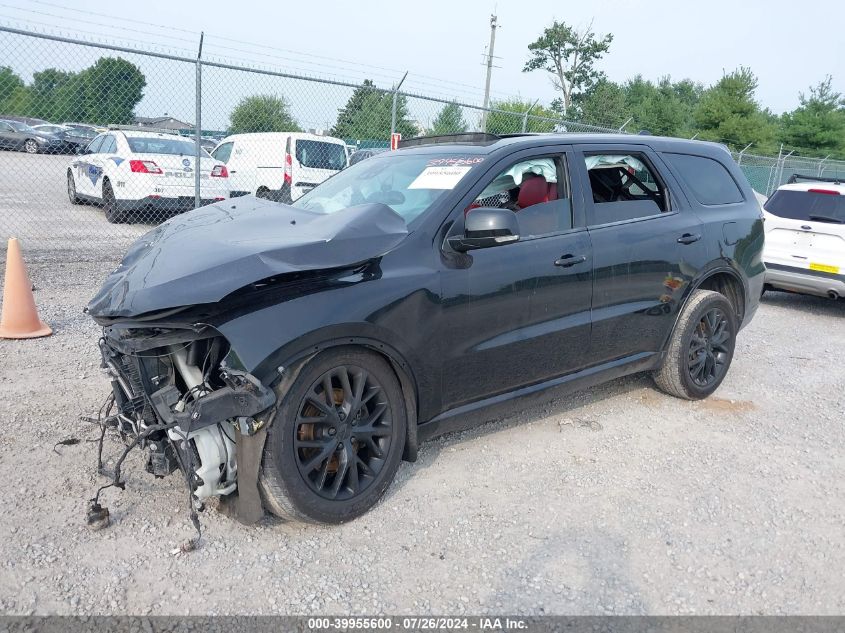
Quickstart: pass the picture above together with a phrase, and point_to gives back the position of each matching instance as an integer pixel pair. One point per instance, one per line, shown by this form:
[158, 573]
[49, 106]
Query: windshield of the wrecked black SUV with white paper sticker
[408, 184]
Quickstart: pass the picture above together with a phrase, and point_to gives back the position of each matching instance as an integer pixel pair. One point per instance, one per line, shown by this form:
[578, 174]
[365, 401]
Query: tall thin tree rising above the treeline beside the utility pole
[570, 55]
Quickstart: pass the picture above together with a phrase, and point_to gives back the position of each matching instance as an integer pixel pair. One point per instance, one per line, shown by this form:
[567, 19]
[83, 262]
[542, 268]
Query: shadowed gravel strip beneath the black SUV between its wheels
[524, 411]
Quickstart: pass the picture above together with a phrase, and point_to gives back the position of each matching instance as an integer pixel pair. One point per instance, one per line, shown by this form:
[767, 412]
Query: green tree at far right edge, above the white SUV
[818, 124]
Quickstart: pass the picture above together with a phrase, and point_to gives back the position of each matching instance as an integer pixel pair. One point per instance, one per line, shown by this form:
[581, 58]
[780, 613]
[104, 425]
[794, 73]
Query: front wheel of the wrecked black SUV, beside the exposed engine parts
[336, 439]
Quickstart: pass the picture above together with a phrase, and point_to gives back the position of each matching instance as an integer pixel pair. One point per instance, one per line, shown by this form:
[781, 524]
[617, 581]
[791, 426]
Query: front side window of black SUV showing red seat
[536, 191]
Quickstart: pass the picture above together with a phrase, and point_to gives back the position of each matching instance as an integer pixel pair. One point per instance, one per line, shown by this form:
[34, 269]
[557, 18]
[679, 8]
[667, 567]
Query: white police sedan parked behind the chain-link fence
[139, 174]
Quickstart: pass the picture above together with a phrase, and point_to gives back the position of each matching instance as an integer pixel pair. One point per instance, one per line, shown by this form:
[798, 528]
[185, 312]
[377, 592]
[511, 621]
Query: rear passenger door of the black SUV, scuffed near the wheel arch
[647, 246]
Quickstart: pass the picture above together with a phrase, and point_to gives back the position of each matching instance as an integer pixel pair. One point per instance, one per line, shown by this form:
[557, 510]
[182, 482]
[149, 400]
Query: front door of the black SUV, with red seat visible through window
[511, 316]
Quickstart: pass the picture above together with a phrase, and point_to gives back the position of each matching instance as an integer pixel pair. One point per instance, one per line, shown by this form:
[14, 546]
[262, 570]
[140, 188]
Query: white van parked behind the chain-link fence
[279, 165]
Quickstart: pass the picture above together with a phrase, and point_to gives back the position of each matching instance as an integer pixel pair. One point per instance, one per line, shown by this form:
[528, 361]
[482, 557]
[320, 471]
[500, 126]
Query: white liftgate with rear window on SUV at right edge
[806, 229]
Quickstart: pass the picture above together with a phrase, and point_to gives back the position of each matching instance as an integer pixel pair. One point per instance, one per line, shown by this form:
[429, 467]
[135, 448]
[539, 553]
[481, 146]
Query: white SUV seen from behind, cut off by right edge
[805, 237]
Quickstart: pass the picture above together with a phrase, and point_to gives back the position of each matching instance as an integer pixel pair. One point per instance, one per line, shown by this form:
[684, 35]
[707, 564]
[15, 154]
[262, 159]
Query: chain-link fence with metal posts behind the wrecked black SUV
[82, 173]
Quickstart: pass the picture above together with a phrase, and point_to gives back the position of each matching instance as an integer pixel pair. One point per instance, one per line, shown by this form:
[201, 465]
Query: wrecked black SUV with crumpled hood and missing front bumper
[290, 356]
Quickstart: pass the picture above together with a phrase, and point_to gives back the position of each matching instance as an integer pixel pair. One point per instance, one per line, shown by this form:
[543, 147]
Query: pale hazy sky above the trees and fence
[440, 43]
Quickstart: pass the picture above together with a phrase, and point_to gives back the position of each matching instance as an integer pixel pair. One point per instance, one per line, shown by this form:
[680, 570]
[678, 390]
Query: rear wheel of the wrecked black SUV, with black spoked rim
[701, 348]
